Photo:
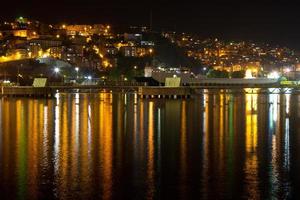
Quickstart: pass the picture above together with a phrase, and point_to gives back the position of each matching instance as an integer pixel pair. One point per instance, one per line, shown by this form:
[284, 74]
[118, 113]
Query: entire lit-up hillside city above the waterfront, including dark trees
[81, 53]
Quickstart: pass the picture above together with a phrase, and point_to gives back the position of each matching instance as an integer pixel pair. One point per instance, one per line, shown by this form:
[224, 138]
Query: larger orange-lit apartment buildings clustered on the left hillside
[95, 46]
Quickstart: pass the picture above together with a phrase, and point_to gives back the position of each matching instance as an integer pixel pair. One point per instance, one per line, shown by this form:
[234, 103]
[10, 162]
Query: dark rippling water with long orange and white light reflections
[115, 146]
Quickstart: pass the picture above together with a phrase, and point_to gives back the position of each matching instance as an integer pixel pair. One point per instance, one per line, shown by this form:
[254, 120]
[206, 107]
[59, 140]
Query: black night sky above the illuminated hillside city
[272, 21]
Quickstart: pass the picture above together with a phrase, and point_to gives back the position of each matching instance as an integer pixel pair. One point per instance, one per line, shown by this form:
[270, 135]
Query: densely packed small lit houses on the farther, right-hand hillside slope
[233, 56]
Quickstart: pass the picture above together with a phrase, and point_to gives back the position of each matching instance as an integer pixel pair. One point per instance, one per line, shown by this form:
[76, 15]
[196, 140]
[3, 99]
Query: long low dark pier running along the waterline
[145, 92]
